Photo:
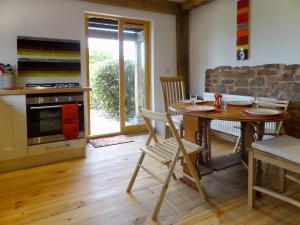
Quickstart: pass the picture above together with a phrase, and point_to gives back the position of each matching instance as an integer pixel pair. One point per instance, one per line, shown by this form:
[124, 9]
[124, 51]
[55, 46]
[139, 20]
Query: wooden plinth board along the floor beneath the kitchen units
[38, 160]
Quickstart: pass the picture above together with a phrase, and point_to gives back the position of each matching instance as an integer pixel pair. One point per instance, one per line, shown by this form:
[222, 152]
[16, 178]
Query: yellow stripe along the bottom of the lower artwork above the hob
[50, 74]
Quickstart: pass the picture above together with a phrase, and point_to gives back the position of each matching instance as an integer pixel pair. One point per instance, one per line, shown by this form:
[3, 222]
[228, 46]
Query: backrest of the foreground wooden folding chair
[149, 116]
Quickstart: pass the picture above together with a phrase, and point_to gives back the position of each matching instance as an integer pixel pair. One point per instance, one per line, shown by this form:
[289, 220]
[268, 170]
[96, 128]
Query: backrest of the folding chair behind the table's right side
[277, 104]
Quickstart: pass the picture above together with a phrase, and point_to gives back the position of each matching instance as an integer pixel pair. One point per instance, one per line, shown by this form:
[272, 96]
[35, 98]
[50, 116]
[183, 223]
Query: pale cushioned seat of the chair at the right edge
[286, 147]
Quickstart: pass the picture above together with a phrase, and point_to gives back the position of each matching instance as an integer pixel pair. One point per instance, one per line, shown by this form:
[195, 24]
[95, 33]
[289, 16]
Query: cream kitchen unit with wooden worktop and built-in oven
[16, 152]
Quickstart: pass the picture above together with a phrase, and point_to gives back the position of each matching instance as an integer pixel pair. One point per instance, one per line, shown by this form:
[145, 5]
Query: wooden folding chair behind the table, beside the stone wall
[269, 103]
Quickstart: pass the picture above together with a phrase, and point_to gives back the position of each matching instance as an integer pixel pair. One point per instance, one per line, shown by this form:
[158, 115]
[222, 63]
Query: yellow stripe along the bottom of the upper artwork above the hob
[69, 54]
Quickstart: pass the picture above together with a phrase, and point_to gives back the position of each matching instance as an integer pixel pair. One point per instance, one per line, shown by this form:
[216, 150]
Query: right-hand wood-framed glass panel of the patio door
[134, 73]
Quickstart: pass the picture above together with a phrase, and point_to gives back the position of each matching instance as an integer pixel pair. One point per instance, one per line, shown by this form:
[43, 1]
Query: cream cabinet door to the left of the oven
[13, 128]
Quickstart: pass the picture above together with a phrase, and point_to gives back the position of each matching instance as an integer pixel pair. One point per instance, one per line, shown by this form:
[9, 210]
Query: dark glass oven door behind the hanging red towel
[44, 123]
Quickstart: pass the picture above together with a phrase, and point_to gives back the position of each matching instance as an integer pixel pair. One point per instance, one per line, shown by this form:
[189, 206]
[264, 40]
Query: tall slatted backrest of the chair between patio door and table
[173, 90]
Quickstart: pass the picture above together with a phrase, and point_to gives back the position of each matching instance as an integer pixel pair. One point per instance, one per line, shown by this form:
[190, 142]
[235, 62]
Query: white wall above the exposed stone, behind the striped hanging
[274, 36]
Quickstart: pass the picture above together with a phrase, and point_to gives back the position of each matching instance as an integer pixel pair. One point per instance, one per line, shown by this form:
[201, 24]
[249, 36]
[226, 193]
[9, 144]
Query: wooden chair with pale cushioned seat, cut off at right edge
[282, 151]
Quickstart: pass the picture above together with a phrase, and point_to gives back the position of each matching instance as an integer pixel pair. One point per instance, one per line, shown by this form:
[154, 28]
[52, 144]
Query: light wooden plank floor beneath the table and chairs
[92, 191]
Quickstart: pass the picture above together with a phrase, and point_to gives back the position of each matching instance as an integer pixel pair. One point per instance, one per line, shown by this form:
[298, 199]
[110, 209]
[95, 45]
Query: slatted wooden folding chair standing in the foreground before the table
[167, 152]
